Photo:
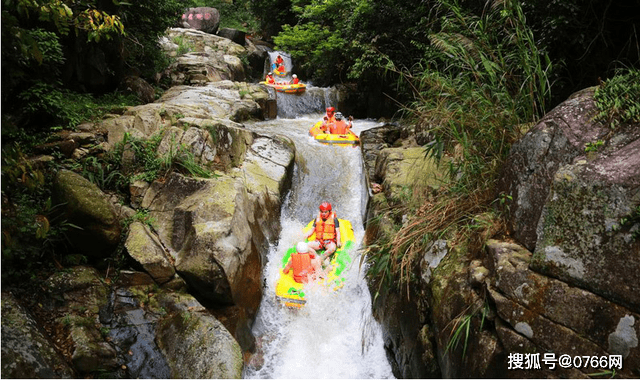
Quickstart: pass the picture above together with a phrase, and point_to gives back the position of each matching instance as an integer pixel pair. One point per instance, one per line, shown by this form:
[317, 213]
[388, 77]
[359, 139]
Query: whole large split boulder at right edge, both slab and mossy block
[576, 207]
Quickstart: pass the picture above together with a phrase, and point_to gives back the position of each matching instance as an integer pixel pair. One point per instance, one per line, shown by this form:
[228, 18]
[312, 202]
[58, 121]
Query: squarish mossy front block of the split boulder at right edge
[589, 230]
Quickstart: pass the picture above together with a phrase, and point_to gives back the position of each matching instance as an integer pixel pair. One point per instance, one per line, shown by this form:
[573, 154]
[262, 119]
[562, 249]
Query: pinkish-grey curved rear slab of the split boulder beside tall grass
[558, 139]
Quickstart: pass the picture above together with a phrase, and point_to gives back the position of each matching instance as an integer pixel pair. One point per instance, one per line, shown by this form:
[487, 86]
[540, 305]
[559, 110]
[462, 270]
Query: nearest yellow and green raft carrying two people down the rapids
[291, 294]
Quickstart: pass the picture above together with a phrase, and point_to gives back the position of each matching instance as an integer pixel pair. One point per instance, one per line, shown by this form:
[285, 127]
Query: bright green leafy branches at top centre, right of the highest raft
[347, 40]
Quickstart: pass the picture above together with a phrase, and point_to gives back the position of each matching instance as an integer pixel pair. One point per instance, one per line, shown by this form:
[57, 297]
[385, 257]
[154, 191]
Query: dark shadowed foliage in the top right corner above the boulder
[586, 40]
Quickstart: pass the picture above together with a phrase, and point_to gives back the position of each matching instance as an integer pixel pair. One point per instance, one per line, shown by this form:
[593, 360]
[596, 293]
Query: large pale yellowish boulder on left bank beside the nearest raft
[217, 229]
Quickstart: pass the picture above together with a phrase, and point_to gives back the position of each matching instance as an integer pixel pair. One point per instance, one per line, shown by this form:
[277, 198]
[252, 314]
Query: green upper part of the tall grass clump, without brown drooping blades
[482, 78]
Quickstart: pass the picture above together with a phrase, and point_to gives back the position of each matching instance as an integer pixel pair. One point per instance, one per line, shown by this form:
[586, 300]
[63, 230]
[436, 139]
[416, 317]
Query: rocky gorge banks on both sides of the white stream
[565, 282]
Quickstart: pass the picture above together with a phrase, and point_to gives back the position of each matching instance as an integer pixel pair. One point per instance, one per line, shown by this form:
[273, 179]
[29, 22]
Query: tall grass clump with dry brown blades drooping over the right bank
[482, 80]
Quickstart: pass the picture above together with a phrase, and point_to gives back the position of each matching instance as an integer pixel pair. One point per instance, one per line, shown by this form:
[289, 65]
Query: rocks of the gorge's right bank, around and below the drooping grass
[563, 282]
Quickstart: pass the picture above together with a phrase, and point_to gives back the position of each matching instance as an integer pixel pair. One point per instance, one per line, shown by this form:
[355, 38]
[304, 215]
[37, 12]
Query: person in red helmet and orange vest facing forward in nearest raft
[327, 229]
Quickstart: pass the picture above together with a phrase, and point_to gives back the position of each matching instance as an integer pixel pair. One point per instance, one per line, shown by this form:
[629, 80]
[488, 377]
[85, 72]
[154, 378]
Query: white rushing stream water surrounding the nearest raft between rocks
[334, 335]
